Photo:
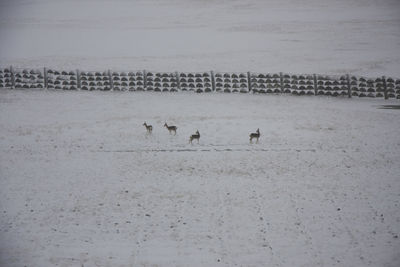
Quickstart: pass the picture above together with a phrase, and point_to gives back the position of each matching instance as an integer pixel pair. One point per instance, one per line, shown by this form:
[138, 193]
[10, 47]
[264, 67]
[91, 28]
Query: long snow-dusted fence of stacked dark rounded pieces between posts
[201, 82]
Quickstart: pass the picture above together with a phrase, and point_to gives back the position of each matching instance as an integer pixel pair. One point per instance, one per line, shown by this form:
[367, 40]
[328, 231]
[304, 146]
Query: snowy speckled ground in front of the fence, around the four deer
[81, 184]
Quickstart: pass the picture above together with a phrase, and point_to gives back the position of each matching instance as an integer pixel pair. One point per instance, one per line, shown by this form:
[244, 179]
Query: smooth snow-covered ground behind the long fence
[359, 37]
